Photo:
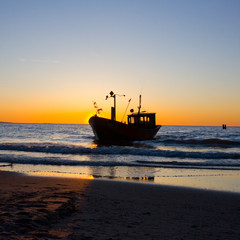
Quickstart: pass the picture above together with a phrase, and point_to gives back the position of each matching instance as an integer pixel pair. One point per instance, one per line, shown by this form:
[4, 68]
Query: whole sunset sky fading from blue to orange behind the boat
[58, 56]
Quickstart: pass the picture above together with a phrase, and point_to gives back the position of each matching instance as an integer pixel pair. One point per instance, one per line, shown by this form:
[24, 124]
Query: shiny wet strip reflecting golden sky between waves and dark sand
[214, 179]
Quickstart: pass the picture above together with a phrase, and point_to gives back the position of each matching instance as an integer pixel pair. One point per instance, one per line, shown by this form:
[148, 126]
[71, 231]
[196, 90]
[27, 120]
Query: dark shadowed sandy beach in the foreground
[64, 208]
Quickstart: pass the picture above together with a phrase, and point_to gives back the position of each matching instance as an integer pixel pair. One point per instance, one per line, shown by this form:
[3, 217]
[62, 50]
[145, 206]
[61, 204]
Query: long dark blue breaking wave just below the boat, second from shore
[115, 150]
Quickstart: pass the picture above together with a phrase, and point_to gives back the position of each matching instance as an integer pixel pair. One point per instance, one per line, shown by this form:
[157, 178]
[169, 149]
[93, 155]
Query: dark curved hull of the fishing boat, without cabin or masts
[106, 130]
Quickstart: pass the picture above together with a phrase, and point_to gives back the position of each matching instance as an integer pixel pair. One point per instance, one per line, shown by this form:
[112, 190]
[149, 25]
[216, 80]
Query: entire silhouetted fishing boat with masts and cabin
[140, 126]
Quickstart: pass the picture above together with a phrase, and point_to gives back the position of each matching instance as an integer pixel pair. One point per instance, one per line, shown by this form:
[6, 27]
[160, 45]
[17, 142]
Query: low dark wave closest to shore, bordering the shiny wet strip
[56, 161]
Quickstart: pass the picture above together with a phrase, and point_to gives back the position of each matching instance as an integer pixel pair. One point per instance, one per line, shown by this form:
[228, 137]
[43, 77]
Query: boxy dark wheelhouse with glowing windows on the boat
[146, 120]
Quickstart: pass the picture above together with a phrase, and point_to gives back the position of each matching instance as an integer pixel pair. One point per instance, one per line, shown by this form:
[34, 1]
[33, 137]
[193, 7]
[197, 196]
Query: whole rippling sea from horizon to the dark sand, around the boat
[189, 156]
